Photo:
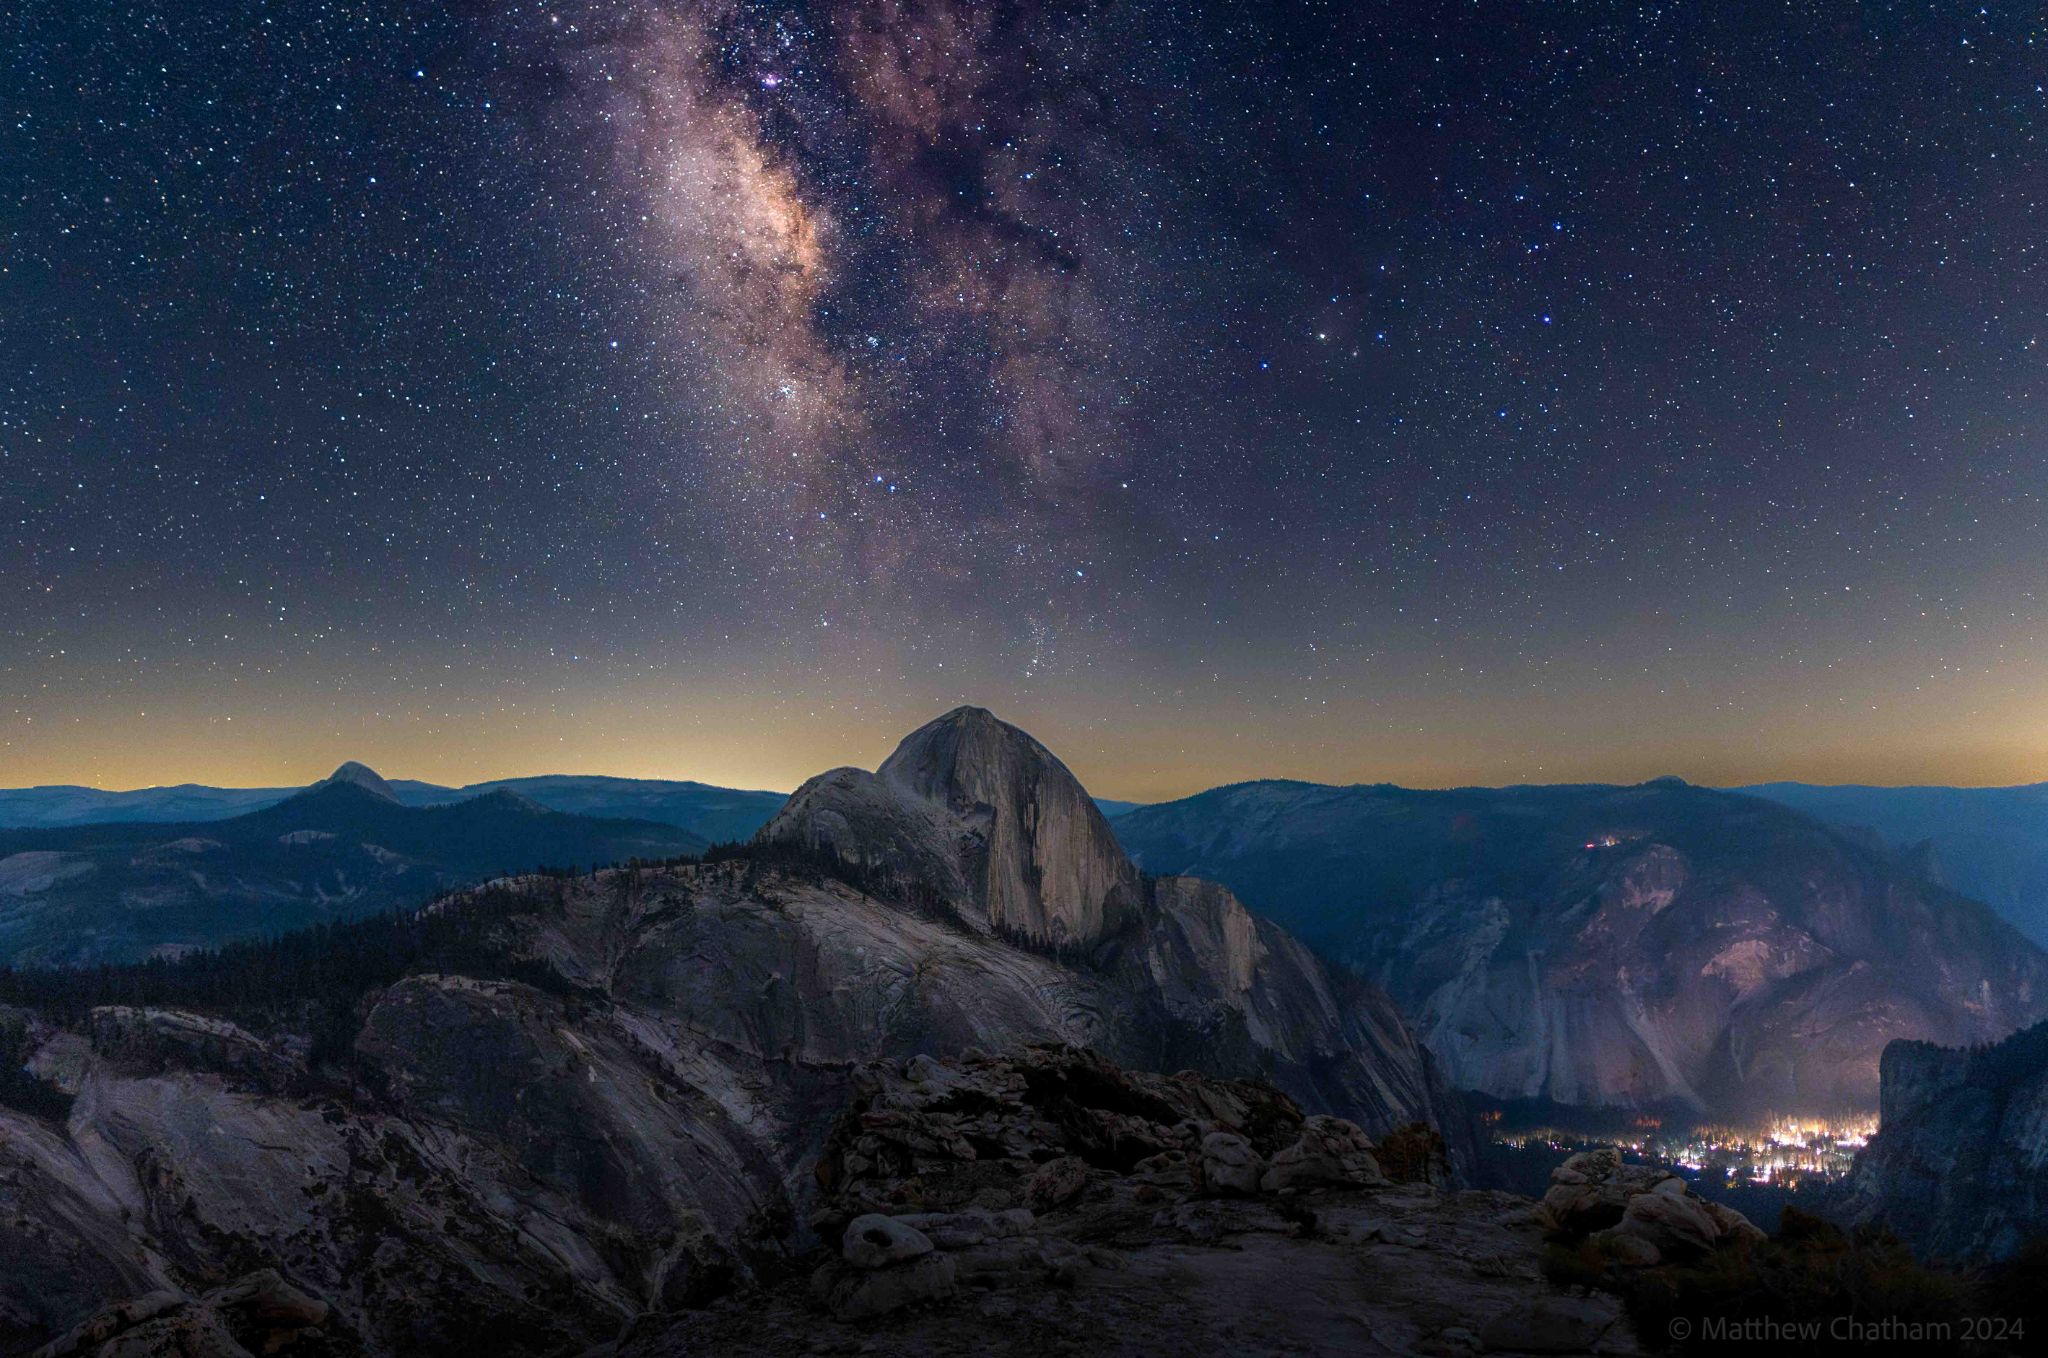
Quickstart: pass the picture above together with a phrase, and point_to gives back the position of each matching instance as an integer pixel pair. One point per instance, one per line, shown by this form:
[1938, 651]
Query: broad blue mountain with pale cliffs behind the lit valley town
[1617, 945]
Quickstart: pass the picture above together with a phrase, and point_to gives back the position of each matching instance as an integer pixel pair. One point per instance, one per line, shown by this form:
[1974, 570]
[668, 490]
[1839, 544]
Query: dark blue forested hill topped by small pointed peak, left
[337, 851]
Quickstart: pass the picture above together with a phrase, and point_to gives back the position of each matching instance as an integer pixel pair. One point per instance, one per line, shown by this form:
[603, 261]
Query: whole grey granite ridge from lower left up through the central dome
[636, 1123]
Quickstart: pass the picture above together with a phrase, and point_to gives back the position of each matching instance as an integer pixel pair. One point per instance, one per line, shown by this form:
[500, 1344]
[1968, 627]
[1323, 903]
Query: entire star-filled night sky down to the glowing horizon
[697, 388]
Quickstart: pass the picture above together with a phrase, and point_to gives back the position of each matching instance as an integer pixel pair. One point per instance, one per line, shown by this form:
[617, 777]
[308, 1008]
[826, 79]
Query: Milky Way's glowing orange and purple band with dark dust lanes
[902, 273]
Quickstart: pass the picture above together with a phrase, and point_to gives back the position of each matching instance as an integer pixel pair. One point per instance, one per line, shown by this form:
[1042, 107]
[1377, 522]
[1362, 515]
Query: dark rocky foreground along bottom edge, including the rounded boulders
[1050, 1201]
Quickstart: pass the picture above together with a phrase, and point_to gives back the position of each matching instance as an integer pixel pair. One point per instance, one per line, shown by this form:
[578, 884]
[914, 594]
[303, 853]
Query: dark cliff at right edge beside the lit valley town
[1961, 1160]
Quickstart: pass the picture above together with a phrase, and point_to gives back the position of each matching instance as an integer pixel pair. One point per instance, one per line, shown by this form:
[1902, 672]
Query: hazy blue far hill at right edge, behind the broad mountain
[1988, 843]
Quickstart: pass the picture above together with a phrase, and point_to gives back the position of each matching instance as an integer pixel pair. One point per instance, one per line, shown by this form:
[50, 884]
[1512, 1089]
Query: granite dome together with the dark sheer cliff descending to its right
[978, 818]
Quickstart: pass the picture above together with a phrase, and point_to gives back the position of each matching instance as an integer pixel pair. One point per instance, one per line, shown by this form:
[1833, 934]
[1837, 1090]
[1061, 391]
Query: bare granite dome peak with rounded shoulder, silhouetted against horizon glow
[982, 814]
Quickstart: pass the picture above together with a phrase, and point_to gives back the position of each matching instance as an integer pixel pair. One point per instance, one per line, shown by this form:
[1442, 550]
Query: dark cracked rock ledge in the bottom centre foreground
[1148, 1255]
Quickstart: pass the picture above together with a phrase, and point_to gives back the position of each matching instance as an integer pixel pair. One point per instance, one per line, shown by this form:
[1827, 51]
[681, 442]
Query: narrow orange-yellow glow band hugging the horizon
[1129, 755]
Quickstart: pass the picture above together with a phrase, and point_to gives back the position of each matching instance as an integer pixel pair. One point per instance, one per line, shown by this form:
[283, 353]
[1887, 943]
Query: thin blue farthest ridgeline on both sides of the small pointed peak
[714, 814]
